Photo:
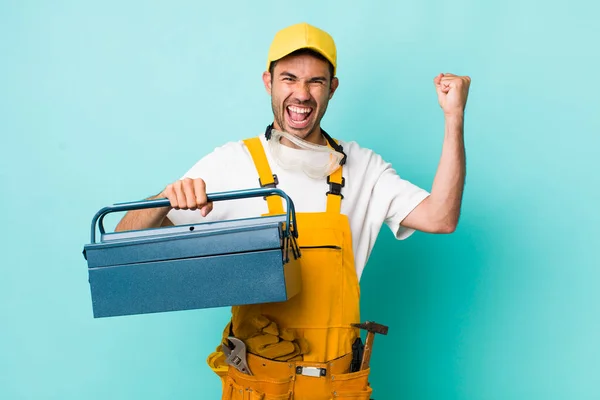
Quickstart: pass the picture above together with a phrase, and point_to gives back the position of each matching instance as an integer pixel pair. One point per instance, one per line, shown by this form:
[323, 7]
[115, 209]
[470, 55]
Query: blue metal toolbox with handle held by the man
[212, 264]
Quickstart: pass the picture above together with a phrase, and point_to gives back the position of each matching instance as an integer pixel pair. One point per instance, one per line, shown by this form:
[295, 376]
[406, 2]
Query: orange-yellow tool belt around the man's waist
[297, 380]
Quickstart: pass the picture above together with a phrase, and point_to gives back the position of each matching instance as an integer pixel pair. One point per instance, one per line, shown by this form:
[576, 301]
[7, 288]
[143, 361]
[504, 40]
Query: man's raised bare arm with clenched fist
[439, 213]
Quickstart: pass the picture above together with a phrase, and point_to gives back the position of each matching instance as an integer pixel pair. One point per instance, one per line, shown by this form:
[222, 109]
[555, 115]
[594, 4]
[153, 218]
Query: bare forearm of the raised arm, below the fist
[447, 189]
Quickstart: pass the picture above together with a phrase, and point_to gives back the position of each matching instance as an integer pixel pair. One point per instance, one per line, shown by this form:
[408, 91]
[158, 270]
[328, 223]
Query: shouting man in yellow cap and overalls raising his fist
[343, 194]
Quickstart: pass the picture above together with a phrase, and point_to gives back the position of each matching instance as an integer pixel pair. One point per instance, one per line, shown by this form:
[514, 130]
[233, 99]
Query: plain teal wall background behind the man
[102, 102]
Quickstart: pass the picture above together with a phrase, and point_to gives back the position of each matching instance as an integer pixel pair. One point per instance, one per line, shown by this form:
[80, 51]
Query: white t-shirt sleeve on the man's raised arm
[399, 196]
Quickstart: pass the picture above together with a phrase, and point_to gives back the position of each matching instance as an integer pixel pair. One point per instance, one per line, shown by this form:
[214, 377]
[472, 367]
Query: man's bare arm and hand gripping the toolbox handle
[186, 194]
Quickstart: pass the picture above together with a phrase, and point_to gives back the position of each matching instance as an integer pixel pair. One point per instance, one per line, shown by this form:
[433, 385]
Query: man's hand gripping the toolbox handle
[188, 194]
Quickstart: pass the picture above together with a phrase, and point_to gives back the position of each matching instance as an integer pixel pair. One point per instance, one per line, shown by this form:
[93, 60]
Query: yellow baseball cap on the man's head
[302, 36]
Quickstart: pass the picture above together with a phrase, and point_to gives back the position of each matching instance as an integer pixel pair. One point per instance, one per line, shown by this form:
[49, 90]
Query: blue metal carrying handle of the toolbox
[233, 195]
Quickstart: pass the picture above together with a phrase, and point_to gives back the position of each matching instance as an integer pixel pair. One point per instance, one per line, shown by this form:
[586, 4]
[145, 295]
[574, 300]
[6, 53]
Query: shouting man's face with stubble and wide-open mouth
[300, 89]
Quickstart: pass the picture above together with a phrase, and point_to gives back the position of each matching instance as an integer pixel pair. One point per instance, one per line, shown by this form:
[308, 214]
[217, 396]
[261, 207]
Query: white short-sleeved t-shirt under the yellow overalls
[374, 194]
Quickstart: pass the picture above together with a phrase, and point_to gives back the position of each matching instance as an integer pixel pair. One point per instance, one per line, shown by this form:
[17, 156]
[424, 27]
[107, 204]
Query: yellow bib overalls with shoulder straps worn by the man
[322, 313]
